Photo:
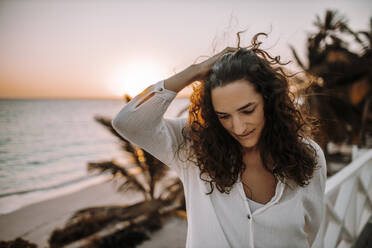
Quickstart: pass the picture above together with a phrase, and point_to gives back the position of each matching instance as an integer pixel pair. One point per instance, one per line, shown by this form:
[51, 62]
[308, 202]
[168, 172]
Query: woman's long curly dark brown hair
[217, 154]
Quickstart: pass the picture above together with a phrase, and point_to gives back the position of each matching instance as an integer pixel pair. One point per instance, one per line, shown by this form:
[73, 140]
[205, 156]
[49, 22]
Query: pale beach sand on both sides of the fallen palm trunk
[35, 222]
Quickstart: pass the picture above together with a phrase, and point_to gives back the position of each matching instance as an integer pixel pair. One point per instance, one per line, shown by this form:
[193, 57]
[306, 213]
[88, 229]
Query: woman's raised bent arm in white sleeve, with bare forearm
[141, 120]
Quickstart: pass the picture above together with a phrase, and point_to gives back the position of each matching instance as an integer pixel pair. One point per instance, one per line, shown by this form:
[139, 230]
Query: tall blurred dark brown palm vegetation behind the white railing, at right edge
[339, 62]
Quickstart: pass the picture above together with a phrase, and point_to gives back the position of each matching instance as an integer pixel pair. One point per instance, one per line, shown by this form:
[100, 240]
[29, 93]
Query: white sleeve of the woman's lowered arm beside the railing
[315, 201]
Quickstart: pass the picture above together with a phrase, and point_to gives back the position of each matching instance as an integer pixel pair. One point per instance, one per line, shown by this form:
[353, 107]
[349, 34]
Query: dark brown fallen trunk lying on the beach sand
[145, 217]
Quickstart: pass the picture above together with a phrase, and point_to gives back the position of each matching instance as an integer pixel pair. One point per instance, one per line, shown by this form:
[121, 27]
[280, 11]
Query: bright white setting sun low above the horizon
[133, 78]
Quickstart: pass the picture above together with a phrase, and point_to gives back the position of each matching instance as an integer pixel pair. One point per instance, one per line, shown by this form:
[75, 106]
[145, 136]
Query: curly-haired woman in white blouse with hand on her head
[252, 175]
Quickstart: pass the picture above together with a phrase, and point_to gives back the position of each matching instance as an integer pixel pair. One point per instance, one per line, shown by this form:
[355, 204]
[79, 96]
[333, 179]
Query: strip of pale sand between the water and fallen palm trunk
[35, 222]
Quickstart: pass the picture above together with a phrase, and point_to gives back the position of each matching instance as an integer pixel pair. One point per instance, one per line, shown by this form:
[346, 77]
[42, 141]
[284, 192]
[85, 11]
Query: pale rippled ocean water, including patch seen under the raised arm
[45, 145]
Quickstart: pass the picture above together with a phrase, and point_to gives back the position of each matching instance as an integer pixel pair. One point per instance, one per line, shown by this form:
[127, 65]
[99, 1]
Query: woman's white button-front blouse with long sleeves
[220, 219]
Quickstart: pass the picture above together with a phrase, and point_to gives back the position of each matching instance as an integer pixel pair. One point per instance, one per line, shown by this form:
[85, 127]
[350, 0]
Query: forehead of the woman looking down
[234, 95]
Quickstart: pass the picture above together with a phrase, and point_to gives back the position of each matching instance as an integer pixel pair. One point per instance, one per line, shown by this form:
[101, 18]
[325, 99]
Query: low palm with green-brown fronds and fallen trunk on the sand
[113, 226]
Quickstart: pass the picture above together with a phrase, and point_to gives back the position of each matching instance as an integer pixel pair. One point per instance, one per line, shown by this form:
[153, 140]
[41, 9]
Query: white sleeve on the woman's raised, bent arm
[141, 122]
